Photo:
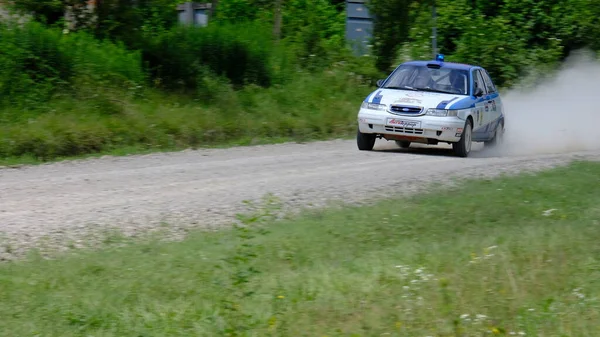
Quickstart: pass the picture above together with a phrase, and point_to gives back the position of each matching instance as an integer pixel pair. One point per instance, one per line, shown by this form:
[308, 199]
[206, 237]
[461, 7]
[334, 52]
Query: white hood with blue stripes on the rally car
[424, 99]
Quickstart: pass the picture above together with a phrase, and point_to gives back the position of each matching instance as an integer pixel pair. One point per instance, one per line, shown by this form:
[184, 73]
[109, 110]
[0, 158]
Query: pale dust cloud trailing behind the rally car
[562, 114]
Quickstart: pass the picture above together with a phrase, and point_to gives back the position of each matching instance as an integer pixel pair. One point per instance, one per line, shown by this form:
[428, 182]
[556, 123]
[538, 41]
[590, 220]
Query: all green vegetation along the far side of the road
[107, 70]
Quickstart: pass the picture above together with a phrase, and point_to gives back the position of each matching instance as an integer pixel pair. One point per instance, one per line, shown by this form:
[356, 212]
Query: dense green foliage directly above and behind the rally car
[511, 38]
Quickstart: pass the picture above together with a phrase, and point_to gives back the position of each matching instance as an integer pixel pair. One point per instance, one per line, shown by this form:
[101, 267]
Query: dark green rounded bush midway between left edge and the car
[240, 53]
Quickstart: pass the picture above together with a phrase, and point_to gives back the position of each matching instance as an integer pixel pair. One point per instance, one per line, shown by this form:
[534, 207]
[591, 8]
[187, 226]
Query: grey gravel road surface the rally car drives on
[64, 202]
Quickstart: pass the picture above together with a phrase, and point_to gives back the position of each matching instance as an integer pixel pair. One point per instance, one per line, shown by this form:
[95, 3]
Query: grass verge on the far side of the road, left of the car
[310, 107]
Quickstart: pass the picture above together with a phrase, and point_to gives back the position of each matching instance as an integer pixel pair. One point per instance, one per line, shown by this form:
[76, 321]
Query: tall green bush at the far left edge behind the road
[40, 63]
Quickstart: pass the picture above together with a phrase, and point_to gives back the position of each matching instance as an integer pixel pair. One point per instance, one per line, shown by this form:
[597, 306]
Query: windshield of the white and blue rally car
[417, 77]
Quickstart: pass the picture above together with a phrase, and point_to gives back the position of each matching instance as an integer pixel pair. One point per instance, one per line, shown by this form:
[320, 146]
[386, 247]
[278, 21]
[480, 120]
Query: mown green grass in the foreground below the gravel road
[487, 258]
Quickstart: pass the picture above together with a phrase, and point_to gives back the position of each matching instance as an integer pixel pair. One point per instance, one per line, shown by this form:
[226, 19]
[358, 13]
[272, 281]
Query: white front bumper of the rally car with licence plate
[418, 129]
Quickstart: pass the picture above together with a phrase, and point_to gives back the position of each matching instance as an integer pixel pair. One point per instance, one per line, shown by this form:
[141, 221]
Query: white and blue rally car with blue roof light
[430, 102]
